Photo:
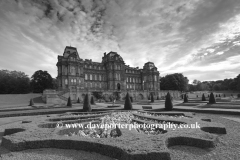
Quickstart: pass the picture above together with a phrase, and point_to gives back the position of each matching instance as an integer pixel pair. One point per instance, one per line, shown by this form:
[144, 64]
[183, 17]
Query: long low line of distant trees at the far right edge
[232, 84]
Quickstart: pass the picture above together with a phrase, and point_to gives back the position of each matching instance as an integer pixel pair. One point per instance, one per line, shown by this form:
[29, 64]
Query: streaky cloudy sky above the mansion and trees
[199, 38]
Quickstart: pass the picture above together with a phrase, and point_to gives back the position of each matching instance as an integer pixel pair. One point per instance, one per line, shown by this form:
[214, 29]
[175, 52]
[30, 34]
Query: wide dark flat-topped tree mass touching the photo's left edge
[14, 82]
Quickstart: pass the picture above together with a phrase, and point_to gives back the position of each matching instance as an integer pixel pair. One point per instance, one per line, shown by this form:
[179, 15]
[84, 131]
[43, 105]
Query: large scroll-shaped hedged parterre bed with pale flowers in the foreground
[132, 144]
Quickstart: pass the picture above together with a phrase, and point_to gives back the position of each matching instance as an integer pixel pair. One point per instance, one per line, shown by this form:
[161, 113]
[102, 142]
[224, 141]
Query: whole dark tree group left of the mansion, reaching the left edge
[17, 82]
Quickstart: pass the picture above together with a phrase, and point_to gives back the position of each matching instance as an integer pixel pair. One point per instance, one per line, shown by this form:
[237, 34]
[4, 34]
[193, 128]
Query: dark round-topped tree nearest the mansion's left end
[40, 81]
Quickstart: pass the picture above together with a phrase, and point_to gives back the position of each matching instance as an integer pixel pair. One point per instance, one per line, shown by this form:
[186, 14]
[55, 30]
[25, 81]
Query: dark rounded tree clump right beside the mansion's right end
[174, 81]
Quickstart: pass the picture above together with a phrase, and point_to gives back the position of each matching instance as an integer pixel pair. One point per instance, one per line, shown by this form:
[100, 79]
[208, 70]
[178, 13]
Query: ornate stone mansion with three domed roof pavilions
[111, 76]
